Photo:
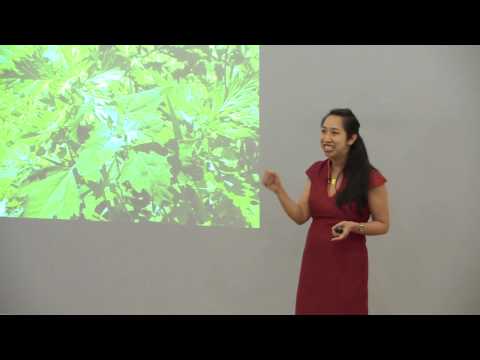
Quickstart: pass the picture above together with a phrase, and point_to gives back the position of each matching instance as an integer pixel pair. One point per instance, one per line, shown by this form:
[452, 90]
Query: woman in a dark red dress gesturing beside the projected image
[341, 193]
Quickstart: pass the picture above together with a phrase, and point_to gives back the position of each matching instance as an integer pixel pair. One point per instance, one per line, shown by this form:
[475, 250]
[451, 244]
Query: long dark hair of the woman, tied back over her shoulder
[357, 167]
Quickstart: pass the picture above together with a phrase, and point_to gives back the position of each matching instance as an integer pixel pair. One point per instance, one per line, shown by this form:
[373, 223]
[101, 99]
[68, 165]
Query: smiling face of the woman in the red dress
[334, 139]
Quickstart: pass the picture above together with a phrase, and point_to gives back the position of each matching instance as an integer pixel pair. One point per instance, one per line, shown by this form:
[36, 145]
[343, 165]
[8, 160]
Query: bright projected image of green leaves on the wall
[165, 134]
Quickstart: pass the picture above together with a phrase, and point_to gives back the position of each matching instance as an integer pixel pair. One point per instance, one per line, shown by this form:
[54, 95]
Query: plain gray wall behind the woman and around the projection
[418, 107]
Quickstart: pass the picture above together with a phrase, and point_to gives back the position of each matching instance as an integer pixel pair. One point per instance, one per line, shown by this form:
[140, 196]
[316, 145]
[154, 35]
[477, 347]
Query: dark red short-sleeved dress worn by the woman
[334, 274]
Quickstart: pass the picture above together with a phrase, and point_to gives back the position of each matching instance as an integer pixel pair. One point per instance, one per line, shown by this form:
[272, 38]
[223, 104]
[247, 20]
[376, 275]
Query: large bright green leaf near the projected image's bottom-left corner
[53, 197]
